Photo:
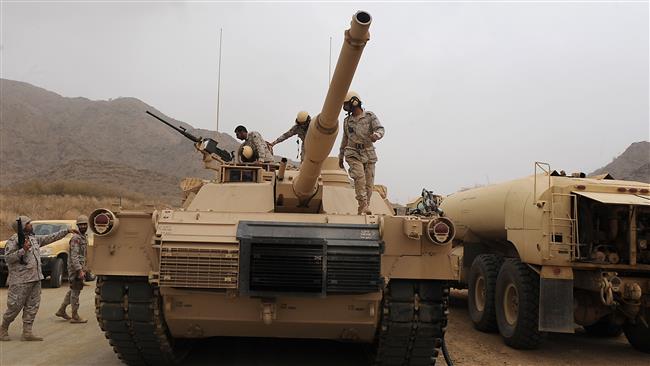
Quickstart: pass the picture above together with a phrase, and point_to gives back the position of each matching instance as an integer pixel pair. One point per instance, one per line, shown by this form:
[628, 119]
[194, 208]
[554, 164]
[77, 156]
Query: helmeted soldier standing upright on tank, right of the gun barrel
[360, 130]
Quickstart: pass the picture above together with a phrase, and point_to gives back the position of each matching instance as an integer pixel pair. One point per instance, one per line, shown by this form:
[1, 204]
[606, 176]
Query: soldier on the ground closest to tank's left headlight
[76, 272]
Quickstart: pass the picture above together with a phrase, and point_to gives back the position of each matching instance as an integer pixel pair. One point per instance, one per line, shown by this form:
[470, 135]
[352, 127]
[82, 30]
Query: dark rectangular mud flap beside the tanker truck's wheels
[556, 305]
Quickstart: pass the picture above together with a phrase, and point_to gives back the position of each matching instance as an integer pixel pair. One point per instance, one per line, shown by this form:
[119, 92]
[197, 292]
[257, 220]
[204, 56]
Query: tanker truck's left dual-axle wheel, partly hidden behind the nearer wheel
[482, 281]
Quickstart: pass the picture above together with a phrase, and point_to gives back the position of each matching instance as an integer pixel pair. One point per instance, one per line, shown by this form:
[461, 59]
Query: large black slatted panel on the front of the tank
[309, 258]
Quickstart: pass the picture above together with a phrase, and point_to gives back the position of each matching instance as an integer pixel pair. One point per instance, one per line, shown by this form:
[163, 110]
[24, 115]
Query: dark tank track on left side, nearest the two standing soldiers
[129, 312]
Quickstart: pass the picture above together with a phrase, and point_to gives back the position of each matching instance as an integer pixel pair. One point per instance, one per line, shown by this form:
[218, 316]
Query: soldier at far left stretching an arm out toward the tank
[25, 275]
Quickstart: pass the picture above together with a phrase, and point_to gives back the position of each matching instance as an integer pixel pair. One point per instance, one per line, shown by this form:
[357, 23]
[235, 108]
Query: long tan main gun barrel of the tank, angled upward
[324, 127]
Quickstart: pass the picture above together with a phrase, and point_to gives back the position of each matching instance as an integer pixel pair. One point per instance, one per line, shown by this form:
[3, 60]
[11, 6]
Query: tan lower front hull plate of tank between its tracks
[198, 315]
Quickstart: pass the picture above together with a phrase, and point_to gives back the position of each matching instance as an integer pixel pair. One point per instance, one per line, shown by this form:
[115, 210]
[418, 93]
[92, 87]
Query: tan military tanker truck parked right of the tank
[542, 253]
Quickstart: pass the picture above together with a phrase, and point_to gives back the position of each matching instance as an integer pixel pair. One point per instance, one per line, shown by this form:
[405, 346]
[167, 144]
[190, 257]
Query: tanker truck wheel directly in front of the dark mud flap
[517, 305]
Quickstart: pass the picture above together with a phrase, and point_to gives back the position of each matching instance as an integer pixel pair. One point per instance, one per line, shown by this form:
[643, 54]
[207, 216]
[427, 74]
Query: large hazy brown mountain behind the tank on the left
[42, 131]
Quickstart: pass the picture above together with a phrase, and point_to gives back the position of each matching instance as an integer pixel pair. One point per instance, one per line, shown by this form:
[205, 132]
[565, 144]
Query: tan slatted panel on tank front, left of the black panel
[199, 267]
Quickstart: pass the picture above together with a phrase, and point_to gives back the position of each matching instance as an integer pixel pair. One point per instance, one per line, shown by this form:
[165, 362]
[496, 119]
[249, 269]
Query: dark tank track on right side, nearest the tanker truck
[413, 323]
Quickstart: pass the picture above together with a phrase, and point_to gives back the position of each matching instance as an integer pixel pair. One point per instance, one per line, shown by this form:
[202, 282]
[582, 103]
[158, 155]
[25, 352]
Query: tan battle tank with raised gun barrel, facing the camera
[266, 251]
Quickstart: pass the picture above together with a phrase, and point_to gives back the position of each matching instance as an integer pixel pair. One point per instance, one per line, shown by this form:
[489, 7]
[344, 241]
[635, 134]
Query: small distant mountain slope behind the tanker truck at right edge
[632, 164]
